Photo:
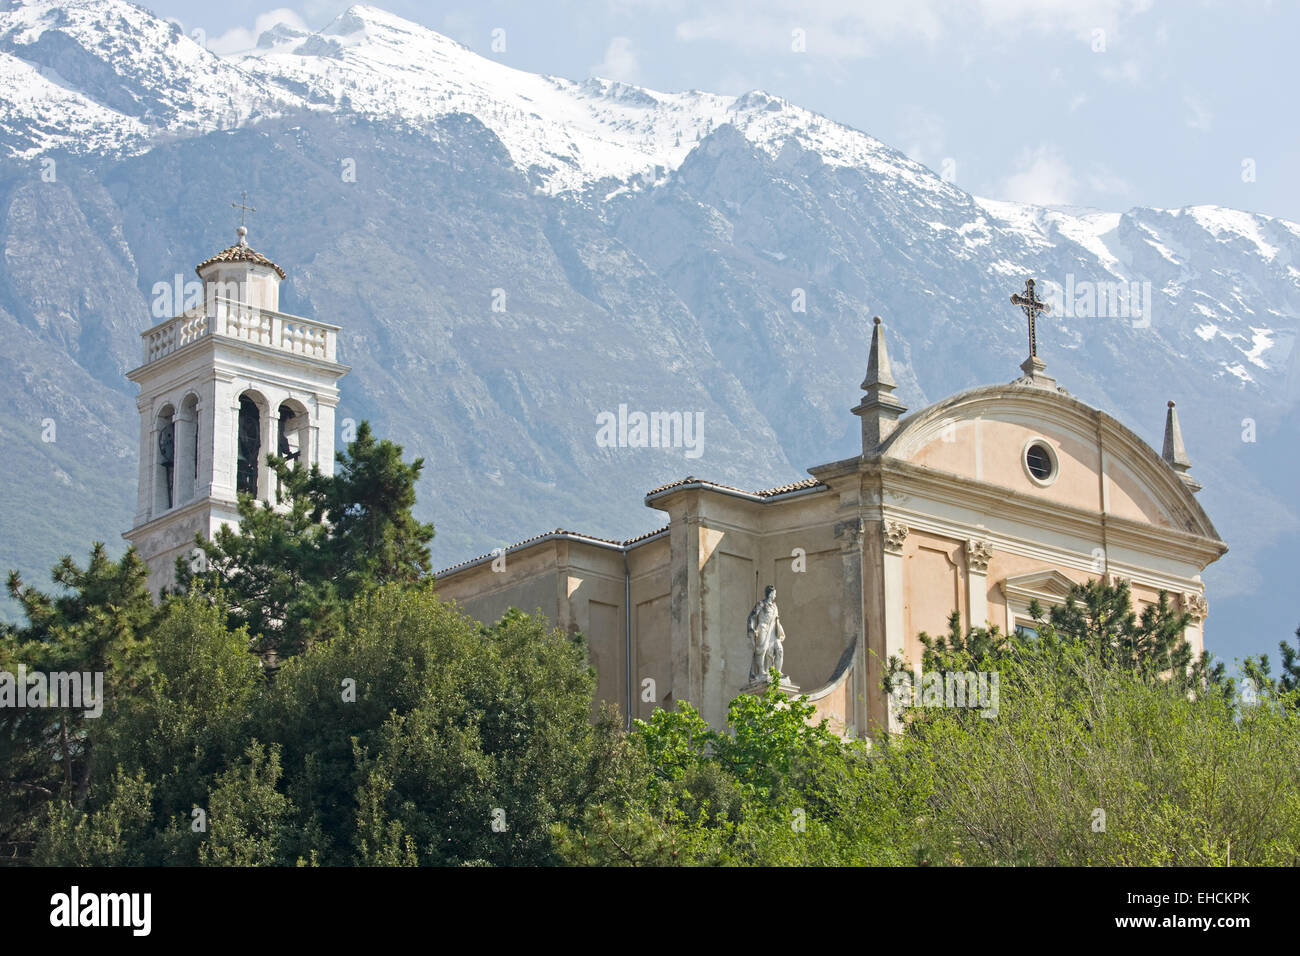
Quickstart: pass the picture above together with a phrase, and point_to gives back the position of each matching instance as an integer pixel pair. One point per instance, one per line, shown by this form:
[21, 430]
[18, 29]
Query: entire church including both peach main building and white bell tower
[980, 504]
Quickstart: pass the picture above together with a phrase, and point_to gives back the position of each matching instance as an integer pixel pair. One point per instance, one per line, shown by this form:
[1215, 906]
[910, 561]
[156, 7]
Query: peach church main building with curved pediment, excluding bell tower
[980, 504]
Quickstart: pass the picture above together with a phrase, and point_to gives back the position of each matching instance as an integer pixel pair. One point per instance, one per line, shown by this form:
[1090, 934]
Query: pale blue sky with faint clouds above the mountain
[1098, 103]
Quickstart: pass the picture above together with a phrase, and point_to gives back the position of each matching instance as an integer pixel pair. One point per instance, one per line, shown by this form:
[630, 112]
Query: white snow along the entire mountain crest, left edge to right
[109, 77]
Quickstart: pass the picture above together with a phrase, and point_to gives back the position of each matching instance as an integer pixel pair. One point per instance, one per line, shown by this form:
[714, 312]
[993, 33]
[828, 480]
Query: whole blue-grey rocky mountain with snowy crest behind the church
[651, 244]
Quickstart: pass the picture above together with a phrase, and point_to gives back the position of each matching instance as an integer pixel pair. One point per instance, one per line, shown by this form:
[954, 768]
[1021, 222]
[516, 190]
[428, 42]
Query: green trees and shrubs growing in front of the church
[306, 699]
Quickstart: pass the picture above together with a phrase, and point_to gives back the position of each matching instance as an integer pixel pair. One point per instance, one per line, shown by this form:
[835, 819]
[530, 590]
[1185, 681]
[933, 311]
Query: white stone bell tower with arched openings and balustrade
[223, 386]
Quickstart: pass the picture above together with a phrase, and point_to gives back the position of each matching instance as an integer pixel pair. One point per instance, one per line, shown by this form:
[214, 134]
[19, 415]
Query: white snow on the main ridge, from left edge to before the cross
[567, 135]
